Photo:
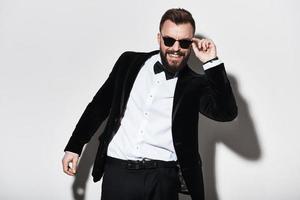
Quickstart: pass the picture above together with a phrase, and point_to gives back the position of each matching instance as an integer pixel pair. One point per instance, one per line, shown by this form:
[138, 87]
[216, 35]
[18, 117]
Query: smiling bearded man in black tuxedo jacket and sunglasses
[152, 101]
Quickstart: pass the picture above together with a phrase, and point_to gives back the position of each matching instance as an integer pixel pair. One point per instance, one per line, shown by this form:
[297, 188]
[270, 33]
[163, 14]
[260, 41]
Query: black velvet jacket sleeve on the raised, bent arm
[217, 101]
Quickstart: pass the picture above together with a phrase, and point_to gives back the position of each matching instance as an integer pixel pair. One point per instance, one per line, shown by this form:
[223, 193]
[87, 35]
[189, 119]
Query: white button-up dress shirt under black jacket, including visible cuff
[145, 130]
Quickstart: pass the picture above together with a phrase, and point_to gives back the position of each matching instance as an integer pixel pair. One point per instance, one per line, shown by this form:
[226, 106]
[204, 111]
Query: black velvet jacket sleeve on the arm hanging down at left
[95, 113]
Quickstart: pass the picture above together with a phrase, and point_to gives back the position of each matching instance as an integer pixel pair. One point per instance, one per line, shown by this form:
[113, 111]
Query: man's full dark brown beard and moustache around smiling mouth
[174, 66]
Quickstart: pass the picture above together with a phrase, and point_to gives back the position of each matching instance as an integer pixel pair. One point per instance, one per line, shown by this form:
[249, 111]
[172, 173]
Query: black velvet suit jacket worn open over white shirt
[209, 94]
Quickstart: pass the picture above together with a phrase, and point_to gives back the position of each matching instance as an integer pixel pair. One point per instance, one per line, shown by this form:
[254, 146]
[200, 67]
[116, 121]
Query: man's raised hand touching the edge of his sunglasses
[204, 49]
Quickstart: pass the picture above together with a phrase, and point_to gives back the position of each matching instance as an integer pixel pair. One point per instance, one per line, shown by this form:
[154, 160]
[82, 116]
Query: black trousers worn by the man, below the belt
[154, 183]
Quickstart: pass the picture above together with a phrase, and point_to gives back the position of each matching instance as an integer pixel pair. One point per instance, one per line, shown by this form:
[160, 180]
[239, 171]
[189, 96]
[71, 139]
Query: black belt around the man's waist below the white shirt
[141, 164]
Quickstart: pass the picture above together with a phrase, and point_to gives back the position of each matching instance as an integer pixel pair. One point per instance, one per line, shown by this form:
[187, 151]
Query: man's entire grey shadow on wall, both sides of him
[239, 135]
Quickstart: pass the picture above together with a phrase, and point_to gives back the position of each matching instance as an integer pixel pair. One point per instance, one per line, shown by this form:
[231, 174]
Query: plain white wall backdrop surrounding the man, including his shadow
[54, 55]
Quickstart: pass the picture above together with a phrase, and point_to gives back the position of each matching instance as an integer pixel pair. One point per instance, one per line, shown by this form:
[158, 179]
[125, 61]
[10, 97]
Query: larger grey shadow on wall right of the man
[238, 135]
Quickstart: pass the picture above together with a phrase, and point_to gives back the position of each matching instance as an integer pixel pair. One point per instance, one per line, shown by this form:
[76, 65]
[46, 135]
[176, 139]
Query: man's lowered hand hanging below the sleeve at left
[69, 162]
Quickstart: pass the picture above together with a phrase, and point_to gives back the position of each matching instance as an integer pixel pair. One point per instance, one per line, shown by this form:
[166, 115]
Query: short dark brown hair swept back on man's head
[177, 16]
